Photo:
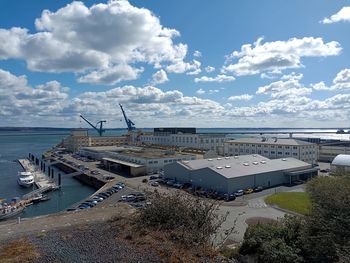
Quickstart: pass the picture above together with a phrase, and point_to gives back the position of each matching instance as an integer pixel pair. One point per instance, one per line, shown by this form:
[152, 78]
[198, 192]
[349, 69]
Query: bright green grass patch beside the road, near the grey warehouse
[298, 202]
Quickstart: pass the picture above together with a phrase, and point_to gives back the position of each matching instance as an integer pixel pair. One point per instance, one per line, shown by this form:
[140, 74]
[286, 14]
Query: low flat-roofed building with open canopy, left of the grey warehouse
[132, 160]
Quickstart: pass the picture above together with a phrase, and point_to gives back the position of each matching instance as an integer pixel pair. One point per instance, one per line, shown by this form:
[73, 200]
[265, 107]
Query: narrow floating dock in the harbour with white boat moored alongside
[41, 180]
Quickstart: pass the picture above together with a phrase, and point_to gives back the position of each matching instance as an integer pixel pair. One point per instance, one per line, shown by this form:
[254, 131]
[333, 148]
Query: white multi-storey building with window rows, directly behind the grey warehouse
[273, 148]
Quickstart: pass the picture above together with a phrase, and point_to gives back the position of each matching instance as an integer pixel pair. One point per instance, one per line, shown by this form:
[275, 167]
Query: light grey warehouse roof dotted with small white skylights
[243, 165]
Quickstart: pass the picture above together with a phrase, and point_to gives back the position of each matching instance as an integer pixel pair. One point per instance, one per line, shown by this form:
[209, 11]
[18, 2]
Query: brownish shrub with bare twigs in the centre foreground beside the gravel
[186, 219]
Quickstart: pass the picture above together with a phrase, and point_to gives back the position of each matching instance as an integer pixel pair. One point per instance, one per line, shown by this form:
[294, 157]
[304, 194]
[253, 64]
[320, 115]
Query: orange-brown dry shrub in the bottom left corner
[20, 251]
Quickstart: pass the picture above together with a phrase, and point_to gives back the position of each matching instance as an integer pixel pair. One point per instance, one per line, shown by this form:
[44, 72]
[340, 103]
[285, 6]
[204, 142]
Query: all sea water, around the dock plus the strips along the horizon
[17, 144]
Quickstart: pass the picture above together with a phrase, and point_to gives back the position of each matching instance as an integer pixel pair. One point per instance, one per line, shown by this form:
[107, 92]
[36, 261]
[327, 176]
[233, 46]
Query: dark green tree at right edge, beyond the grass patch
[327, 228]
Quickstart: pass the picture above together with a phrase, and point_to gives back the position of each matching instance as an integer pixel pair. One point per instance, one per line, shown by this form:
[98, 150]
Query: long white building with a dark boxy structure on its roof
[184, 137]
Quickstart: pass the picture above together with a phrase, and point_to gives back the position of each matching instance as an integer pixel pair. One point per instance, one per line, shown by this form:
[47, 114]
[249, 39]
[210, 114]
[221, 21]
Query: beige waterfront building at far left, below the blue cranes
[80, 138]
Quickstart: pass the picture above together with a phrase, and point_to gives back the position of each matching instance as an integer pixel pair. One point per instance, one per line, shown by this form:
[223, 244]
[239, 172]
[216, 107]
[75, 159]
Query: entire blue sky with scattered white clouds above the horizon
[196, 63]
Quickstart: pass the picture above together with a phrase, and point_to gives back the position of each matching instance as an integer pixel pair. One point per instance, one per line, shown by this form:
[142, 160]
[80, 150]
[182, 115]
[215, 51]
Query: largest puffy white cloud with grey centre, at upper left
[100, 43]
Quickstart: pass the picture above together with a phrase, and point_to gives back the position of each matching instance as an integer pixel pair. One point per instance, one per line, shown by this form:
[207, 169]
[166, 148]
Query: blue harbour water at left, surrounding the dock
[17, 145]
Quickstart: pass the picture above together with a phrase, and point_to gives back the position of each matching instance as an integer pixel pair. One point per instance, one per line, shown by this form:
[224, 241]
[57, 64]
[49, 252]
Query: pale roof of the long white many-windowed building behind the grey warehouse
[271, 141]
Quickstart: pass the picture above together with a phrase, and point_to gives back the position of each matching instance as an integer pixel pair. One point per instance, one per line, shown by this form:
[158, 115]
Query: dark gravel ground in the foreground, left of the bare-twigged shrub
[93, 243]
